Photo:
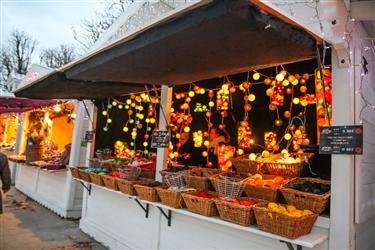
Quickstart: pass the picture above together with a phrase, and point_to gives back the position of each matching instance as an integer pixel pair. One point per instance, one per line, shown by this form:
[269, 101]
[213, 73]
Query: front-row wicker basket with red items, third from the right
[200, 205]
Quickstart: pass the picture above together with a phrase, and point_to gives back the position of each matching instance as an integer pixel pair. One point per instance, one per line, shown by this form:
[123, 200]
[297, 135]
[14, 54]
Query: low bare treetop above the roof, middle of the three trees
[58, 57]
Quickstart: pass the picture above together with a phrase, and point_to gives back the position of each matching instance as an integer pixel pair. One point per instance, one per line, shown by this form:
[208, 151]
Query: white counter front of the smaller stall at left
[55, 190]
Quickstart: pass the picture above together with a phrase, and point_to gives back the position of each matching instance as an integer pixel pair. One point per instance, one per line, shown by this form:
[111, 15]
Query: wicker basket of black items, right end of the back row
[303, 200]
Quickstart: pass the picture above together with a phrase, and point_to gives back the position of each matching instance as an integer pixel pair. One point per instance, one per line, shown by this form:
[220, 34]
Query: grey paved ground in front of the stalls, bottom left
[27, 225]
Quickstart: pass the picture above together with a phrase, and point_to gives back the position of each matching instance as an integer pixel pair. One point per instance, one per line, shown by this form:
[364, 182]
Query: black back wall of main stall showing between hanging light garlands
[261, 118]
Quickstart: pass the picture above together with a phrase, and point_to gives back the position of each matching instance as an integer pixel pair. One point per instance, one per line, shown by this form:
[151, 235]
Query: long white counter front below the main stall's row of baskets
[119, 221]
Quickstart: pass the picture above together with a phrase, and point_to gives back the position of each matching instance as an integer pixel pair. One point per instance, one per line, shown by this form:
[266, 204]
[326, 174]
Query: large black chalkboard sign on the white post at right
[341, 140]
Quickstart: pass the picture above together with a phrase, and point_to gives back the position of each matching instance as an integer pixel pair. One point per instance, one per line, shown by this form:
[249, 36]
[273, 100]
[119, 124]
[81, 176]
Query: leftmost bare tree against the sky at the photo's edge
[16, 56]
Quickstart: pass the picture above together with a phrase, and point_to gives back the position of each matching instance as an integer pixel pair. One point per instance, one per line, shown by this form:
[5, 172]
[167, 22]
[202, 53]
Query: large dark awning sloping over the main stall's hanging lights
[220, 38]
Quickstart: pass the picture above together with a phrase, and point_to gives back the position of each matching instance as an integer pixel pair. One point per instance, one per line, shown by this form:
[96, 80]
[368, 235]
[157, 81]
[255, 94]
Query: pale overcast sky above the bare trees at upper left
[48, 21]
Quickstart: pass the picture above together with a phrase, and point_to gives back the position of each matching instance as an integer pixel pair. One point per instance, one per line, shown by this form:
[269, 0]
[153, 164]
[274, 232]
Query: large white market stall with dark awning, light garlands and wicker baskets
[219, 134]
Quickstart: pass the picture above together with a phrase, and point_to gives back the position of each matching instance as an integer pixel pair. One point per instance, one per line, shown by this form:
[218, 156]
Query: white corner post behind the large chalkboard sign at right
[342, 176]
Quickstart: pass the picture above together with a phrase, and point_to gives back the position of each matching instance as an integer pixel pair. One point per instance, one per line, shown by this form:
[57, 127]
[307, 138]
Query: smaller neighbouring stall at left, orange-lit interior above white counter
[45, 148]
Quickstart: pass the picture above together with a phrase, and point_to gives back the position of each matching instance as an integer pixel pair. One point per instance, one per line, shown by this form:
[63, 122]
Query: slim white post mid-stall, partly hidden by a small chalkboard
[164, 115]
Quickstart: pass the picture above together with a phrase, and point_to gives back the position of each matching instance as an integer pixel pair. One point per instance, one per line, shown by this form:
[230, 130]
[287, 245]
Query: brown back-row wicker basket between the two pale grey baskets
[200, 182]
